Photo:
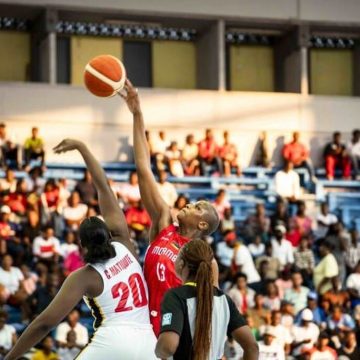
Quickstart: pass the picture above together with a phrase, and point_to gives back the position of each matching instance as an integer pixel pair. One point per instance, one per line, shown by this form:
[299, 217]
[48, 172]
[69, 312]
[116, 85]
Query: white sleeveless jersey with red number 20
[124, 299]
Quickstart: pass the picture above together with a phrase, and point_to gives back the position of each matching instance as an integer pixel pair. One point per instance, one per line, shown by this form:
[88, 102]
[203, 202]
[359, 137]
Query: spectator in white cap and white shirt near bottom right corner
[306, 335]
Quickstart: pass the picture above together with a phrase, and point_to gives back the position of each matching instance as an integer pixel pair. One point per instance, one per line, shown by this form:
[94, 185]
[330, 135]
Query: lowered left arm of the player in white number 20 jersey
[85, 281]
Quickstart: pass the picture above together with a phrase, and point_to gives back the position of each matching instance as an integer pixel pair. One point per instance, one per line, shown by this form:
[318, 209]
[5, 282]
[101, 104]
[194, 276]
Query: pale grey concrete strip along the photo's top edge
[323, 10]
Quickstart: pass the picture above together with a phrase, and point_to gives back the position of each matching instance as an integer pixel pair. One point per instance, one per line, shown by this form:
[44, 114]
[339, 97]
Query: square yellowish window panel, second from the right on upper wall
[251, 68]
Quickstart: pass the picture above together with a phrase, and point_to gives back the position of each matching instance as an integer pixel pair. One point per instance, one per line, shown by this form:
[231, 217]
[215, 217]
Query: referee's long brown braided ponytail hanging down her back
[204, 305]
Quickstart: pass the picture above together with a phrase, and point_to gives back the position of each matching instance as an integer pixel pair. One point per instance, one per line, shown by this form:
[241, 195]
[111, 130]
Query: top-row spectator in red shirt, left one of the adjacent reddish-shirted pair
[209, 153]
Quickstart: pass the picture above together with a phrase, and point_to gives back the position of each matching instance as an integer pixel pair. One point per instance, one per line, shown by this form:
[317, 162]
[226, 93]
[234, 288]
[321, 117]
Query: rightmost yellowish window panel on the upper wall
[331, 72]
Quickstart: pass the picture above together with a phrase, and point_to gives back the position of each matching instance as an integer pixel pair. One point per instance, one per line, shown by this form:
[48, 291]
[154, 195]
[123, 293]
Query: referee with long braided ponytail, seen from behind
[196, 318]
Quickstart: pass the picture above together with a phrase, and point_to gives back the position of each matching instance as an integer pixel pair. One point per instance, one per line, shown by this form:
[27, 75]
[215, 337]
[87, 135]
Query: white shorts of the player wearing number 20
[120, 343]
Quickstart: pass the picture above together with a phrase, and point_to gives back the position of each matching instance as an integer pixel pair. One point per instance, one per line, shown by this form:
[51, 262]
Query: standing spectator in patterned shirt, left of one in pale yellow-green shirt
[304, 260]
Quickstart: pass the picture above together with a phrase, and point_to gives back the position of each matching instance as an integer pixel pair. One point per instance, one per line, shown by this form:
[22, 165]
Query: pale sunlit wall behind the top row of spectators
[69, 111]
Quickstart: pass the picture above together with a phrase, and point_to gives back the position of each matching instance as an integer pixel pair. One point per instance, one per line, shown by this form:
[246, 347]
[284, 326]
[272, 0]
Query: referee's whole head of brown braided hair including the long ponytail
[197, 255]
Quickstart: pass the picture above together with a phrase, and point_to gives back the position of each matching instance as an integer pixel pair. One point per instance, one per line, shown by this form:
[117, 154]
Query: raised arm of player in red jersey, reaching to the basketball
[155, 205]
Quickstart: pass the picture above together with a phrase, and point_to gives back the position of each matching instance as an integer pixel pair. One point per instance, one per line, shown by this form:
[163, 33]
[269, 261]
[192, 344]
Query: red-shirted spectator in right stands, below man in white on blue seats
[300, 225]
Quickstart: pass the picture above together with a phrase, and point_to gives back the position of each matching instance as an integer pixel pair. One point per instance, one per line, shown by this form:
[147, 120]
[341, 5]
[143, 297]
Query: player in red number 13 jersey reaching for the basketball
[195, 220]
